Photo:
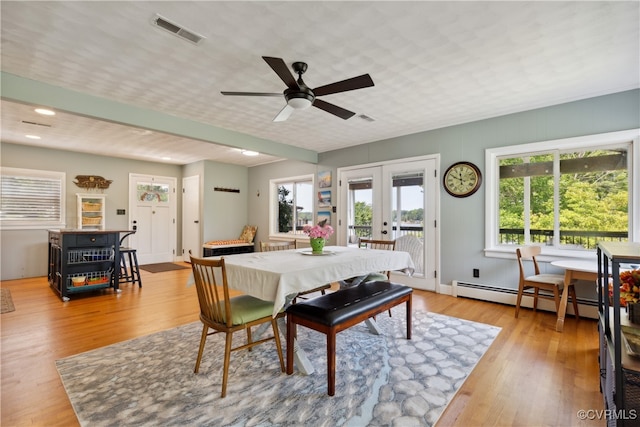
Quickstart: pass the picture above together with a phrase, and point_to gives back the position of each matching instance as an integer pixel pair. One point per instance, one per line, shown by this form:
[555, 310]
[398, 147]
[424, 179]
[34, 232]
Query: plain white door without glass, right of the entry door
[191, 227]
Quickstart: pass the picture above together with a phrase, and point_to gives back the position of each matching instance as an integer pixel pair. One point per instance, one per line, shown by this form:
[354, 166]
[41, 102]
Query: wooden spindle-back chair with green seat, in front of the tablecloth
[223, 314]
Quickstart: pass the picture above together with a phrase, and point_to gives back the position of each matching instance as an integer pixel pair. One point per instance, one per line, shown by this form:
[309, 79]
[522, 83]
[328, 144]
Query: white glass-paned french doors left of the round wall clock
[394, 201]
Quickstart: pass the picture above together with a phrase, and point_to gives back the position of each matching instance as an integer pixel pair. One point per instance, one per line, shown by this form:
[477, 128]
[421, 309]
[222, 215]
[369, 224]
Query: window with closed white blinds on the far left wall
[32, 199]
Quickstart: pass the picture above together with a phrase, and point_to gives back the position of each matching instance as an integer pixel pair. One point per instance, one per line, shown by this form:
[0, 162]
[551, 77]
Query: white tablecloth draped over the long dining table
[272, 276]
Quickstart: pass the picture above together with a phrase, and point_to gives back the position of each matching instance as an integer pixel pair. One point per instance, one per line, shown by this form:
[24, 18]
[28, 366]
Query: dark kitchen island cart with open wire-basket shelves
[92, 254]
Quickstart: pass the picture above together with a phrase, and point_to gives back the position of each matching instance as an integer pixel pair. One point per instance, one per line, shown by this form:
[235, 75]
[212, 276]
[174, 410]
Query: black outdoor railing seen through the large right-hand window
[582, 239]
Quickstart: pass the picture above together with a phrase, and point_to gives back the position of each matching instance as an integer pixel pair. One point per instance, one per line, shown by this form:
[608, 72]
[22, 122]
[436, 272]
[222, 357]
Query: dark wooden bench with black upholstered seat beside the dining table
[337, 311]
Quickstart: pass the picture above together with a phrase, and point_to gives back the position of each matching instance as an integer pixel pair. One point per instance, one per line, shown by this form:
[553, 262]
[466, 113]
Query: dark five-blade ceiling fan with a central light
[299, 96]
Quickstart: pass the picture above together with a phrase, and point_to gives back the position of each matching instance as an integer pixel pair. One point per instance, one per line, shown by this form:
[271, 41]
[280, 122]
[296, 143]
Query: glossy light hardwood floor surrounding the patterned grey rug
[530, 376]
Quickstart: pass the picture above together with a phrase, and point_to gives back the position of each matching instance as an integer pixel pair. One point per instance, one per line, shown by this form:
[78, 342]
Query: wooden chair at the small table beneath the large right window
[549, 283]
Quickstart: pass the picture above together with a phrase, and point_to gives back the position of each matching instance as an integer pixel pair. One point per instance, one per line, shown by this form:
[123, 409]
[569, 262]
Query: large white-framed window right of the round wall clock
[565, 195]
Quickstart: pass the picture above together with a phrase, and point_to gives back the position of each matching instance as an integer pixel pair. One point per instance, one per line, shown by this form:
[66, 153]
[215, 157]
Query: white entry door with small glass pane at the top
[152, 213]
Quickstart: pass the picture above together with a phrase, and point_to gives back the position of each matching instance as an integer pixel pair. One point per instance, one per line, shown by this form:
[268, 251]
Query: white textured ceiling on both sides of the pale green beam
[434, 64]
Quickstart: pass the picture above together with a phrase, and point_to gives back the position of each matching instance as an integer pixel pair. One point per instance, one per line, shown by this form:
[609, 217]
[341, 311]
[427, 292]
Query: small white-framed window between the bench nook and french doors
[292, 205]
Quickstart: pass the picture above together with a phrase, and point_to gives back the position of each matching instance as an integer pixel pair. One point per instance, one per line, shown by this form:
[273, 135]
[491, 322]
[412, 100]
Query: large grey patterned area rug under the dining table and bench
[380, 379]
